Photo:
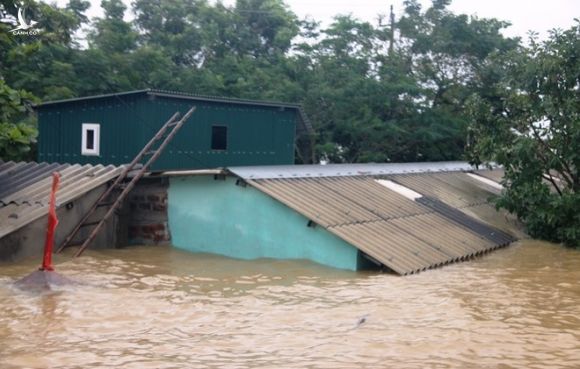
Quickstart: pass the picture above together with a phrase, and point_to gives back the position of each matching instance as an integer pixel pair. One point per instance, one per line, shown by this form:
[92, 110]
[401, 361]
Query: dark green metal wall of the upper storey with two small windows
[257, 135]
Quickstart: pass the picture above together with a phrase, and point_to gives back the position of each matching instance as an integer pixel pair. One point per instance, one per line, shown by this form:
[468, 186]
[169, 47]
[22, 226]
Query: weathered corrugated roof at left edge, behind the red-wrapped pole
[25, 187]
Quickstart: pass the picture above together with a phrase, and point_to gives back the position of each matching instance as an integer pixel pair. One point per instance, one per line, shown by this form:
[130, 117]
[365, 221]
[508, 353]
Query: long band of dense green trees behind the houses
[390, 91]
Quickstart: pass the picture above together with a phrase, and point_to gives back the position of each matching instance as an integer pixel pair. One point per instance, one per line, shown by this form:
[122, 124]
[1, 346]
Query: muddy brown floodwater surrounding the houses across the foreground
[148, 307]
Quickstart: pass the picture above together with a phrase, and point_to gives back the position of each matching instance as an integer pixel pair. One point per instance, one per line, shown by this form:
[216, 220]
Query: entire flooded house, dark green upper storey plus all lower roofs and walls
[228, 185]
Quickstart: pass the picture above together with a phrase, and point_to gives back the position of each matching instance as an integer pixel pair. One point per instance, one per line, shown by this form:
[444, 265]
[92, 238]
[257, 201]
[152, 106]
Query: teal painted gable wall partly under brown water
[217, 216]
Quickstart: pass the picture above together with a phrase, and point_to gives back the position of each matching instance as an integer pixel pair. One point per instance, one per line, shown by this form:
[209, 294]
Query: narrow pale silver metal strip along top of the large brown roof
[345, 170]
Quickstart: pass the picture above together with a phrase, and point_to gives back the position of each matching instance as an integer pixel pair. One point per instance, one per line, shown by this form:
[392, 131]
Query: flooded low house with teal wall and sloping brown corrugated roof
[403, 218]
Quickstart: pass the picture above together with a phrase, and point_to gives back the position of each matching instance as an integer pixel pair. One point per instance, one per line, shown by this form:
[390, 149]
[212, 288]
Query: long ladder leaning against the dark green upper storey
[164, 135]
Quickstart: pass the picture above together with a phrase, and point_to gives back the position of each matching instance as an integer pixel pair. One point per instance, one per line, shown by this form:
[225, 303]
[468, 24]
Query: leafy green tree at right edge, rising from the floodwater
[531, 126]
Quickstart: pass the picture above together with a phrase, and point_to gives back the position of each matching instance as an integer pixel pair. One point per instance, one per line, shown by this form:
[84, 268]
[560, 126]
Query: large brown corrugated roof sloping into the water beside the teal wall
[406, 236]
